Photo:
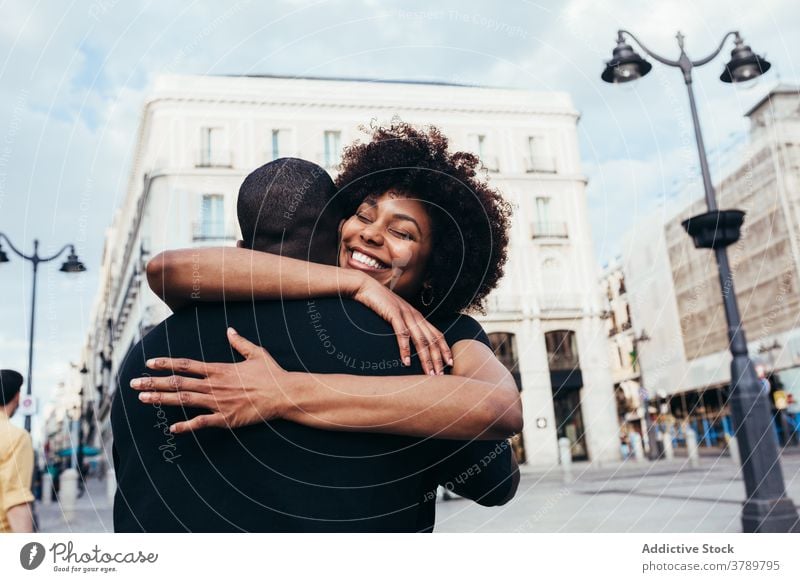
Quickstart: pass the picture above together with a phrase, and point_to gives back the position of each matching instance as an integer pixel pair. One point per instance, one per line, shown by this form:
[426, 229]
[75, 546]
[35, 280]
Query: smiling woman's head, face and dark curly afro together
[432, 200]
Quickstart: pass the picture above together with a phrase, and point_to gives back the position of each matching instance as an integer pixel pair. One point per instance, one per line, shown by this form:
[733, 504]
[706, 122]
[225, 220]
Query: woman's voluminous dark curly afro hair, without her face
[470, 219]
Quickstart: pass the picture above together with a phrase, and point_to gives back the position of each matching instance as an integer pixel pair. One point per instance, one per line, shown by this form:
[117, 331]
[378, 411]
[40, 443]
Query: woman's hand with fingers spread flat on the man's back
[234, 393]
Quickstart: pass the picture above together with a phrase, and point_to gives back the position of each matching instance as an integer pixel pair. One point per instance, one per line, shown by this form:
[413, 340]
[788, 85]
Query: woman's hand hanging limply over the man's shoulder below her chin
[407, 322]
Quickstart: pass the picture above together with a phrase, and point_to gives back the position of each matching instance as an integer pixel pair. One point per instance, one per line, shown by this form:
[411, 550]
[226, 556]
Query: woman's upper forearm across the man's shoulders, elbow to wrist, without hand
[213, 274]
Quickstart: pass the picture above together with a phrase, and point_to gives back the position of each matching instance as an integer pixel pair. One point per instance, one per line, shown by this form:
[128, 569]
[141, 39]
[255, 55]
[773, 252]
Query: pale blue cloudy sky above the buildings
[74, 76]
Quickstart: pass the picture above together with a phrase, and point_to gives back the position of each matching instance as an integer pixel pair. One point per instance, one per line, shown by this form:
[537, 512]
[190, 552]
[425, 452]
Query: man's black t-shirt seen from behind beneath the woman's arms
[281, 476]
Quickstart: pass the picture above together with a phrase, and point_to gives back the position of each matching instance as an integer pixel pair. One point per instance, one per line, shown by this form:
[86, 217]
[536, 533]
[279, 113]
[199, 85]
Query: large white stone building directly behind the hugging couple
[200, 136]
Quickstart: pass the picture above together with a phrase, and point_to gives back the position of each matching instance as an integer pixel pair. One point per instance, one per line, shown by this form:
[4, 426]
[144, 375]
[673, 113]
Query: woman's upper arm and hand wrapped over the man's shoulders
[184, 276]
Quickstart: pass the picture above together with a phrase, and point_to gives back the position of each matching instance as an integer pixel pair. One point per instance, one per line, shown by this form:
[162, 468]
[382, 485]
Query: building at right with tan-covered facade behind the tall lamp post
[678, 295]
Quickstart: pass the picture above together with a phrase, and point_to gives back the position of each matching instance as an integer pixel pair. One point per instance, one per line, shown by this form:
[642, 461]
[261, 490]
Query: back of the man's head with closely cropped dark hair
[288, 207]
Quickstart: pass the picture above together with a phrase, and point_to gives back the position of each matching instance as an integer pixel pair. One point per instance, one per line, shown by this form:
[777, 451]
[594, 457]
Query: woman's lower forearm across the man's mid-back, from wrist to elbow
[453, 407]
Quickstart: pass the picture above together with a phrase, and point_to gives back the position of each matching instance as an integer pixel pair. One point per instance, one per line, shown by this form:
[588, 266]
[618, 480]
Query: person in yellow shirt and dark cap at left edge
[16, 461]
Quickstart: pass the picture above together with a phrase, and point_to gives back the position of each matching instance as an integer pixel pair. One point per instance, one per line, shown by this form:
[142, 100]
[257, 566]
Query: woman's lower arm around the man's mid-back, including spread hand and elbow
[478, 401]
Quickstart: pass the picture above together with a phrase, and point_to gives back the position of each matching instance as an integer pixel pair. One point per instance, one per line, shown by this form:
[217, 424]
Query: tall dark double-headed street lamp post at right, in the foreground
[767, 507]
